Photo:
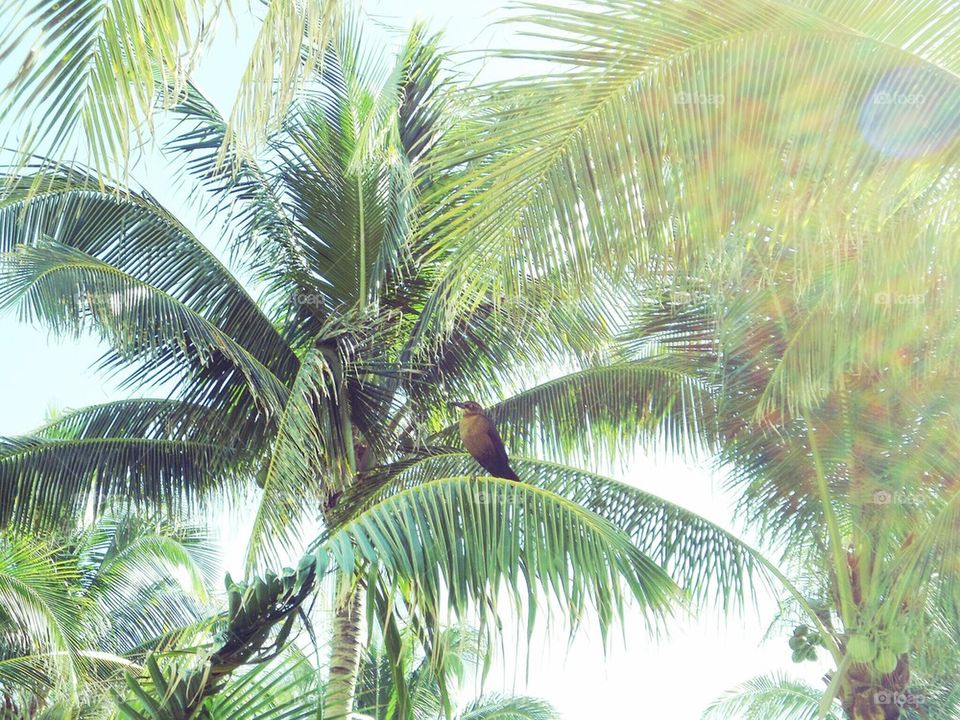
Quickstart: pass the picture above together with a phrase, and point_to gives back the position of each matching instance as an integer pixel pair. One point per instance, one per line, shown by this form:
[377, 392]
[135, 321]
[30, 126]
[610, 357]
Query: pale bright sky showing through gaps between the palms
[673, 678]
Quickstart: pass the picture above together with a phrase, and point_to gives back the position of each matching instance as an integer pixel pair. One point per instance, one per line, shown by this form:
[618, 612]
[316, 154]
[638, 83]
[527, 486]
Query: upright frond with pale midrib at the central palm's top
[349, 193]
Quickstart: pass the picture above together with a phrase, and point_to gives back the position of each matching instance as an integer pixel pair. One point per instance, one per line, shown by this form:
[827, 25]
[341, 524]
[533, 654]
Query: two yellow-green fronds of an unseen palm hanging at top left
[67, 88]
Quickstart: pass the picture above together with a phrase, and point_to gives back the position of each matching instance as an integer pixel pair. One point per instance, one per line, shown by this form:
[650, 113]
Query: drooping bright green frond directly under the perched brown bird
[456, 542]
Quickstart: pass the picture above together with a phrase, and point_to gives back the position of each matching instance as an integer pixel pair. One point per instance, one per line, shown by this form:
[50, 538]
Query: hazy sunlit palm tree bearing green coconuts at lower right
[855, 484]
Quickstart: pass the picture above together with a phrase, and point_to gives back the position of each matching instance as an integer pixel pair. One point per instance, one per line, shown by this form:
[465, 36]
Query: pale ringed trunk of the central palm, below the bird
[344, 653]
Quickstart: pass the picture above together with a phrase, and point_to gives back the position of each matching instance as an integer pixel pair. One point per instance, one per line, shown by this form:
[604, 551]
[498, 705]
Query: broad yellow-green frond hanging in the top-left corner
[68, 87]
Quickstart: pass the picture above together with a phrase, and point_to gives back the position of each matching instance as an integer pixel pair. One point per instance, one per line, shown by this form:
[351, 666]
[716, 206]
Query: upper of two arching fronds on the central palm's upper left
[135, 235]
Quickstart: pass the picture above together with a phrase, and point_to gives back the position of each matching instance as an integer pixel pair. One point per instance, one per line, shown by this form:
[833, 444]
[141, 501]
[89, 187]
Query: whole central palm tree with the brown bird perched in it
[331, 389]
